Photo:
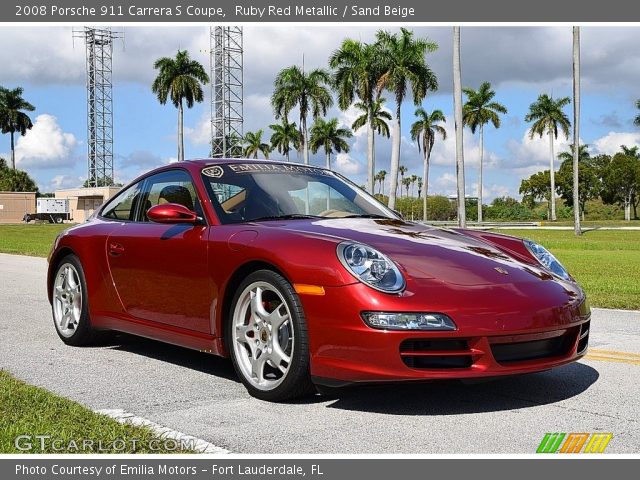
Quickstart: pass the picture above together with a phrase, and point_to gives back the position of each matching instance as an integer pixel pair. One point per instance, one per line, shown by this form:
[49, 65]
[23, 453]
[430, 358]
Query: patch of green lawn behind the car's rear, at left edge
[29, 239]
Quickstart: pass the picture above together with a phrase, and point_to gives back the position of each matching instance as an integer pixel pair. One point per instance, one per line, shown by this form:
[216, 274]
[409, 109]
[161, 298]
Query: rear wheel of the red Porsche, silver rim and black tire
[70, 307]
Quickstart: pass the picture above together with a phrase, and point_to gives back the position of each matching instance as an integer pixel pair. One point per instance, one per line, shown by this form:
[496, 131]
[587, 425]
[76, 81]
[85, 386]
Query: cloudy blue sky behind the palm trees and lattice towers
[519, 62]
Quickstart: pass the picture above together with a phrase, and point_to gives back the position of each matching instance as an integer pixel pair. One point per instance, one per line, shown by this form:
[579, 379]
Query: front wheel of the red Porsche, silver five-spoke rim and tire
[273, 367]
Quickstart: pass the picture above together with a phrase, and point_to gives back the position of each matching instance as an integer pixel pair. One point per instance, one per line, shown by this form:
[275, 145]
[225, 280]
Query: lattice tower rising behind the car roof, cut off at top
[226, 91]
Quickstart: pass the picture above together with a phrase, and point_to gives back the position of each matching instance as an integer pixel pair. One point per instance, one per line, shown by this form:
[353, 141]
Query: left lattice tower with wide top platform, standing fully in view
[99, 51]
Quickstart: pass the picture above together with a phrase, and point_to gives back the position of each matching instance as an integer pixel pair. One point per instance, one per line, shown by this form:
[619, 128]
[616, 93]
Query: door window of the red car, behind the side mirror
[174, 186]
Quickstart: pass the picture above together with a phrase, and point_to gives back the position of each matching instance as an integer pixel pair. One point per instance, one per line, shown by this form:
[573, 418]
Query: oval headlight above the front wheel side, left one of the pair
[371, 267]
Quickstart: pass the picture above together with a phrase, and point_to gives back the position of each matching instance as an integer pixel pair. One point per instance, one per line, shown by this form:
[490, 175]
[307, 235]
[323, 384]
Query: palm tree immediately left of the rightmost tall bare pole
[547, 115]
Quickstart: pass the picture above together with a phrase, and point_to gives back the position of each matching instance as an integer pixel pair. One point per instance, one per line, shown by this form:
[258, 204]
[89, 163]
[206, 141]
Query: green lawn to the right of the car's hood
[605, 262]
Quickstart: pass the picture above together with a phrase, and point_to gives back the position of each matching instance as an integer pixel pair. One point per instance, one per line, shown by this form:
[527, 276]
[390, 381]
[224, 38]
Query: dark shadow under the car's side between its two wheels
[183, 357]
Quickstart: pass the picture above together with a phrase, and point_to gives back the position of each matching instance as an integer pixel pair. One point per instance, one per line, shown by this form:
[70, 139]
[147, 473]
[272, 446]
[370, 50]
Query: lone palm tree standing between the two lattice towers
[181, 79]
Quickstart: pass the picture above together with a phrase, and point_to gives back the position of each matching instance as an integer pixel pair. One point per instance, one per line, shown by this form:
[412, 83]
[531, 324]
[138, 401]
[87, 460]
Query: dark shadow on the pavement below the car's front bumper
[450, 397]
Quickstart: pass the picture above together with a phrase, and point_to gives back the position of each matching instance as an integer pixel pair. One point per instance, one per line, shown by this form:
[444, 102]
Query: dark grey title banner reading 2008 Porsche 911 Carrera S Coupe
[241, 11]
